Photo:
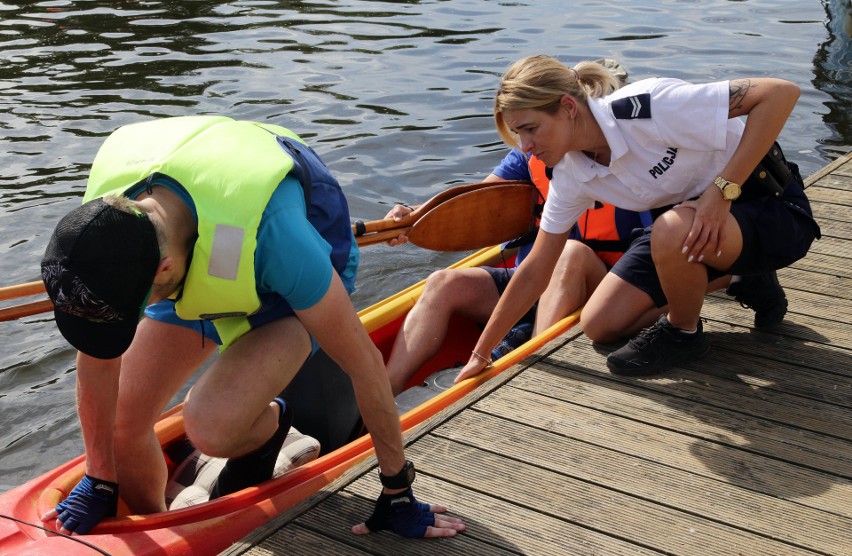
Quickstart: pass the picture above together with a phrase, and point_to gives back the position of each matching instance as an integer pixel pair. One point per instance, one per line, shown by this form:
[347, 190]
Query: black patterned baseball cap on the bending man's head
[98, 270]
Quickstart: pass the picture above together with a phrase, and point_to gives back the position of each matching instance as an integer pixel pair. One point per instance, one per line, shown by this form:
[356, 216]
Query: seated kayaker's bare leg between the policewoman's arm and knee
[577, 274]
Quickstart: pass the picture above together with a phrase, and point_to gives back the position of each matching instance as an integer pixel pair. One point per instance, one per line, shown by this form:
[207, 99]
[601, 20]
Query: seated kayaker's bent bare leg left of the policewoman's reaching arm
[470, 292]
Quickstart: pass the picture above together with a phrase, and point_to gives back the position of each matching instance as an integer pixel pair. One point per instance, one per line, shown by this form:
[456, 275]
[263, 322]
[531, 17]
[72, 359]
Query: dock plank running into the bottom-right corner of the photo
[657, 483]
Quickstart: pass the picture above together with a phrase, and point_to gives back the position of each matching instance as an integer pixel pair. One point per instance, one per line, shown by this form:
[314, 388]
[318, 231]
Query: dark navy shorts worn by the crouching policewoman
[776, 233]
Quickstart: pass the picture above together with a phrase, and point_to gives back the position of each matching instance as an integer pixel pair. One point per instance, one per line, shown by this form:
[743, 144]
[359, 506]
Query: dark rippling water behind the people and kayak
[395, 96]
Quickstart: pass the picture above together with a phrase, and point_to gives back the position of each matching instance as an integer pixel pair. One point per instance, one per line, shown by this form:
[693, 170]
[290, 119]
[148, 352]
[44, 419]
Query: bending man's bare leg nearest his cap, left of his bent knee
[160, 360]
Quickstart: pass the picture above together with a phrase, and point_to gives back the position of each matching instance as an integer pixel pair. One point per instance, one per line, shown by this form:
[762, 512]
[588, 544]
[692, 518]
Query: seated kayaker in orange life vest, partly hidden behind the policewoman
[598, 241]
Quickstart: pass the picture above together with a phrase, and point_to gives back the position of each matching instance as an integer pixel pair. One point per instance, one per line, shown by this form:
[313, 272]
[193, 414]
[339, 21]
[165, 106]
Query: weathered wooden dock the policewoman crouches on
[745, 452]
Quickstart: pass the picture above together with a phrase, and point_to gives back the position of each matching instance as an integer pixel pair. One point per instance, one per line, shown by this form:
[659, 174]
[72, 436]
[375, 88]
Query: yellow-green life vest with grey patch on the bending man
[230, 169]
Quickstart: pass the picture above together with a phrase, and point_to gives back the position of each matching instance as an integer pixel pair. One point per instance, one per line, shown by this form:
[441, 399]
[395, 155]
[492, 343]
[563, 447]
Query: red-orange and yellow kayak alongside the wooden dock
[212, 526]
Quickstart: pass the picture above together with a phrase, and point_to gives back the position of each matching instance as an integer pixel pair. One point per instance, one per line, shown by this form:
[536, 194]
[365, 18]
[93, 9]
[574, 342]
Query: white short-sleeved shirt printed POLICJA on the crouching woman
[669, 140]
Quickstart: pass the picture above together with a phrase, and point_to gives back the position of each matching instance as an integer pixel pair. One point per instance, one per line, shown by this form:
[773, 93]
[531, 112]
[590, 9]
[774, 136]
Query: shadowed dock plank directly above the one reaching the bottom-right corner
[584, 418]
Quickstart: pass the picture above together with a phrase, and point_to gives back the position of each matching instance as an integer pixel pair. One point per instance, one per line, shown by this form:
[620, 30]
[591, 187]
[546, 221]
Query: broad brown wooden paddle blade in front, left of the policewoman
[477, 219]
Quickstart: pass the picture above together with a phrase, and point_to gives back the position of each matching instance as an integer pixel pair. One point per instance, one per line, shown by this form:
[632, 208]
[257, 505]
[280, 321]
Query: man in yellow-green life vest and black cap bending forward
[218, 232]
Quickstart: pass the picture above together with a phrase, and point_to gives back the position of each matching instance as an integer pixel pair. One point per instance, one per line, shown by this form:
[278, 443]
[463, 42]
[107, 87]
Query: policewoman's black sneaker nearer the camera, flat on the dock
[657, 348]
